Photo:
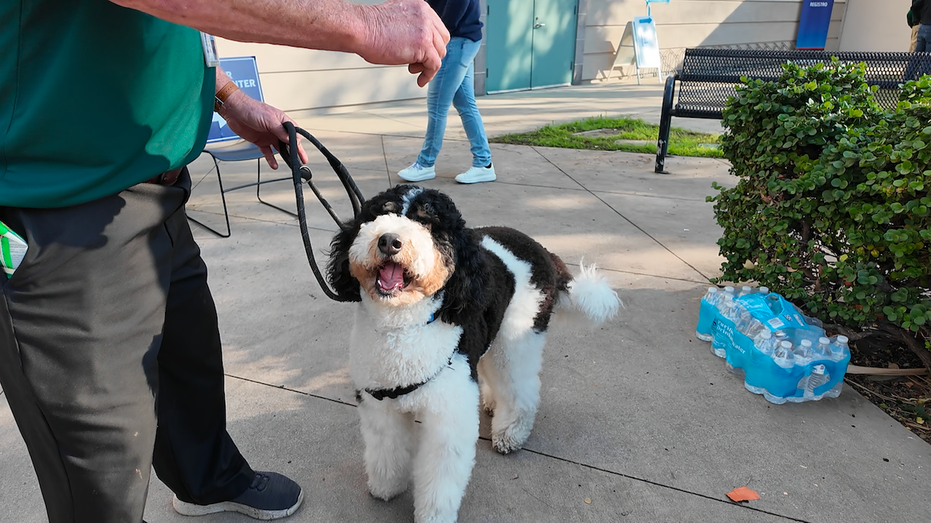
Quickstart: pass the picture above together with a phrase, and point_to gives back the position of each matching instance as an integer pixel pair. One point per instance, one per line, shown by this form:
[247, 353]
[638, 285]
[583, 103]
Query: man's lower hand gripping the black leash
[259, 123]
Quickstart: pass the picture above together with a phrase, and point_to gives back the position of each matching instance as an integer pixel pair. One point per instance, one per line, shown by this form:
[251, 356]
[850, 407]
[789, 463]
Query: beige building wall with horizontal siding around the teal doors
[295, 79]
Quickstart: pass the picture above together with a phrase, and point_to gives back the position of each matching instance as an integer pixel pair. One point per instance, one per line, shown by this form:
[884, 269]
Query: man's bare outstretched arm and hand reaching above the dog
[395, 32]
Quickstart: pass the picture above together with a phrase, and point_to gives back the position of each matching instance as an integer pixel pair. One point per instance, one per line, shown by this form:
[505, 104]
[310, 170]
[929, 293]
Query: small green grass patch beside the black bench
[614, 132]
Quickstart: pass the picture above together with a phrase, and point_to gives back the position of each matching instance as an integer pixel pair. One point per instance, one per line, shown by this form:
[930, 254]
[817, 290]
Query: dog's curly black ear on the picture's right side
[464, 293]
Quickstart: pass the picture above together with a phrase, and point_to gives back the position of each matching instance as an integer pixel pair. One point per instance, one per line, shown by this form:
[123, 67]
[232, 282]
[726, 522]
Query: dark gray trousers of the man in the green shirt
[109, 348]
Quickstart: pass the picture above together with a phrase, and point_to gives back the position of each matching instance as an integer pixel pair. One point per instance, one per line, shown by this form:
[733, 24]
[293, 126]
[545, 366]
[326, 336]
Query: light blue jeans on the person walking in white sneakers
[453, 84]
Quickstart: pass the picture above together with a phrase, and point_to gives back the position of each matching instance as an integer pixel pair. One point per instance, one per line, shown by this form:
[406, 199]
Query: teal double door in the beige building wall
[529, 43]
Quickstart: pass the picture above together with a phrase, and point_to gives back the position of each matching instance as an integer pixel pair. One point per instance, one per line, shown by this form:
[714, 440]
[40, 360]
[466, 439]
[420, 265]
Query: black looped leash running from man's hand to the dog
[301, 173]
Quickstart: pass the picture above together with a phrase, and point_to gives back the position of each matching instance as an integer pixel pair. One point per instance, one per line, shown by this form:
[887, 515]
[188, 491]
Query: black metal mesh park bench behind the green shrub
[708, 78]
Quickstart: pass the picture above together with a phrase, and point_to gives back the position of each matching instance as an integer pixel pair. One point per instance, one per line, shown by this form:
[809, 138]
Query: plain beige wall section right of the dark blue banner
[876, 26]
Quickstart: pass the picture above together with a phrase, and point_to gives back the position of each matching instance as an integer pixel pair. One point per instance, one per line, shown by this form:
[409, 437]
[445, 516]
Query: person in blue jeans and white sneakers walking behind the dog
[454, 85]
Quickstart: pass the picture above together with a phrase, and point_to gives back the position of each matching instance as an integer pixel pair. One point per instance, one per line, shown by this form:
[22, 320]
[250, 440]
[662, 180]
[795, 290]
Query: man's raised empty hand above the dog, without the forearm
[405, 32]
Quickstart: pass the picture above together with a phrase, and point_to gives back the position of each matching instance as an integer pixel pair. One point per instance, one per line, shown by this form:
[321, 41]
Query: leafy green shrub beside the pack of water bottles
[831, 209]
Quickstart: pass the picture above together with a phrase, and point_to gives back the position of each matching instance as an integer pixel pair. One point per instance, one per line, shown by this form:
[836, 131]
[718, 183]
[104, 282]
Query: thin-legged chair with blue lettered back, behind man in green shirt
[244, 72]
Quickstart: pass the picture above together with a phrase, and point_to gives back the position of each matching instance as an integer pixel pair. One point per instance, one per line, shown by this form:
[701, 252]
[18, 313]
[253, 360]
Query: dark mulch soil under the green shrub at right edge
[907, 398]
